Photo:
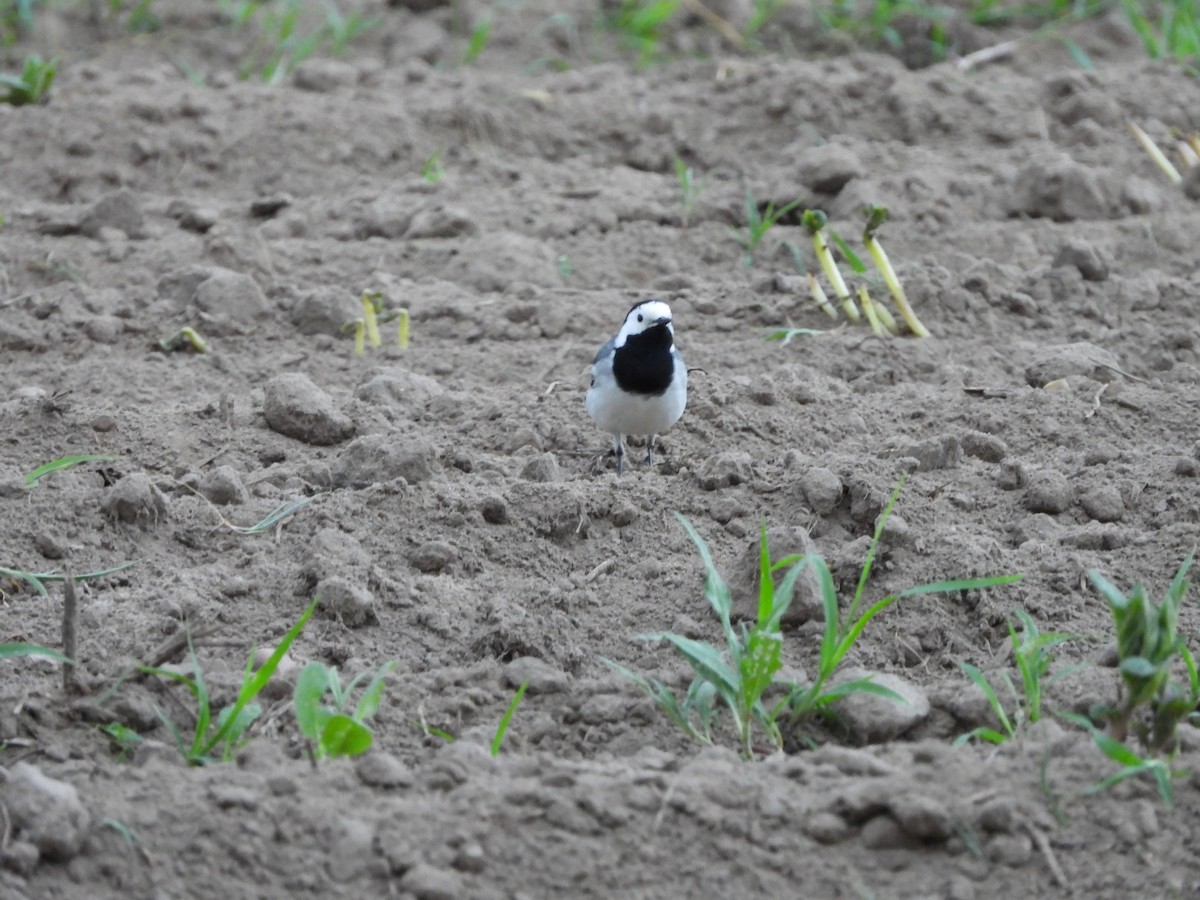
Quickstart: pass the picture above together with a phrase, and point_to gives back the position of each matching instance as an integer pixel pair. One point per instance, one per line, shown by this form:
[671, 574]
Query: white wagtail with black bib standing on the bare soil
[639, 380]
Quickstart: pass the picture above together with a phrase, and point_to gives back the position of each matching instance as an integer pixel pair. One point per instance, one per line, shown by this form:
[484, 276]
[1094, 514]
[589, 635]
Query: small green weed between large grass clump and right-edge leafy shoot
[1034, 655]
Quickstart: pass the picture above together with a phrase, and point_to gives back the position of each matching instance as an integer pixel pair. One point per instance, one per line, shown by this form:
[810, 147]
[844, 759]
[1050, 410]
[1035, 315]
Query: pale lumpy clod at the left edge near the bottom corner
[46, 813]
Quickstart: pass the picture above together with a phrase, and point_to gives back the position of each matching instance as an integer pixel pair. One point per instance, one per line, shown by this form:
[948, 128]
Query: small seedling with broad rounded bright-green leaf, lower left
[334, 729]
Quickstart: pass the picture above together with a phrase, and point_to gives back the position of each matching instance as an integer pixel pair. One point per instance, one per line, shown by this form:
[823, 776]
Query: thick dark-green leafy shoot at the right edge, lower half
[1149, 644]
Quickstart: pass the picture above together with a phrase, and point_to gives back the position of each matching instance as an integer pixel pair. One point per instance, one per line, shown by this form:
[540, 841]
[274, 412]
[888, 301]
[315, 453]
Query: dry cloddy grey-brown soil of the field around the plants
[465, 519]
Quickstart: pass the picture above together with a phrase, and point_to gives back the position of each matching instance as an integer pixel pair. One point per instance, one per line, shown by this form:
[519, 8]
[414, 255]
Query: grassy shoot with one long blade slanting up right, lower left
[217, 739]
